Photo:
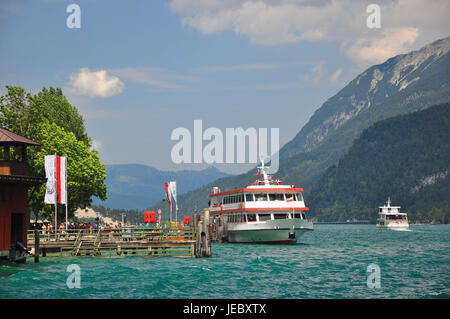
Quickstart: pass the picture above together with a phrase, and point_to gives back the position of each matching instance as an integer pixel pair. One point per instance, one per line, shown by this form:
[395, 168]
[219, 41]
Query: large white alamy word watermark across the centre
[235, 146]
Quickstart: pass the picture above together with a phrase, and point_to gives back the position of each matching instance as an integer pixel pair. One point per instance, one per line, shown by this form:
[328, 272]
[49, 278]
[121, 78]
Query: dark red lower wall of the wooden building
[14, 202]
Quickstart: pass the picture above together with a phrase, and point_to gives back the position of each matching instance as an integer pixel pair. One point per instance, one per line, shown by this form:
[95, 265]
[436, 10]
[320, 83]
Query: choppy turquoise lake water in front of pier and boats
[330, 262]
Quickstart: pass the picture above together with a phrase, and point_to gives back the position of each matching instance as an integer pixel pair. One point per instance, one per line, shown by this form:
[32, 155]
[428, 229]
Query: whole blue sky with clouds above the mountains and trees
[136, 70]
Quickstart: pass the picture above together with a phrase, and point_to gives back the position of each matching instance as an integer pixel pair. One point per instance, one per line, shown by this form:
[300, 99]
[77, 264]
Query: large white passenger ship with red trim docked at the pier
[264, 212]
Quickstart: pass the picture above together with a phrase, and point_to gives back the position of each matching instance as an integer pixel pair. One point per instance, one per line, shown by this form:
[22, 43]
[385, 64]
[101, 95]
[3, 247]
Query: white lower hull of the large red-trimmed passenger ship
[286, 231]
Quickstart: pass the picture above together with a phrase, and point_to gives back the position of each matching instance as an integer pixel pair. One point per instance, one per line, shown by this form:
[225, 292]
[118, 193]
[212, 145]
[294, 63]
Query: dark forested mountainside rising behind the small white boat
[405, 158]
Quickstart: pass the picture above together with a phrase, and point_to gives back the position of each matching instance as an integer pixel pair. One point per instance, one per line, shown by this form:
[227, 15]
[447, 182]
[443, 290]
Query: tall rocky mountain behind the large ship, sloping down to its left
[401, 85]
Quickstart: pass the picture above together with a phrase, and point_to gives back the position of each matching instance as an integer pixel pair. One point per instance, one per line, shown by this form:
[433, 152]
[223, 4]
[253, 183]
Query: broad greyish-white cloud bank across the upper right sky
[405, 24]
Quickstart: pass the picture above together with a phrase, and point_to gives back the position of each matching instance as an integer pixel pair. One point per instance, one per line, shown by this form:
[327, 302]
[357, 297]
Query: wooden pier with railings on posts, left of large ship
[127, 241]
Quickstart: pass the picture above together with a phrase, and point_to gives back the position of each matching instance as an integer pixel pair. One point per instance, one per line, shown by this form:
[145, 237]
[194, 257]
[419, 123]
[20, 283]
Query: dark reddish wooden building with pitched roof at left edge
[15, 180]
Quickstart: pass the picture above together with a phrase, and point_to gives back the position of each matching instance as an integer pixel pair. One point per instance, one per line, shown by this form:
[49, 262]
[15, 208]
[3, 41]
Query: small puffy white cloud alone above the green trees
[95, 83]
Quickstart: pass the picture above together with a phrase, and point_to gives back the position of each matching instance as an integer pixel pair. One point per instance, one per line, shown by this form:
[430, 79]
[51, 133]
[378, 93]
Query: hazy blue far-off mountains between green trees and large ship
[136, 186]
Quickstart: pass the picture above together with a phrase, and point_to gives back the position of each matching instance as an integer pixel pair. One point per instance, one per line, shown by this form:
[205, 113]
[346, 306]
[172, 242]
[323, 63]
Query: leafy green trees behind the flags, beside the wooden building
[49, 119]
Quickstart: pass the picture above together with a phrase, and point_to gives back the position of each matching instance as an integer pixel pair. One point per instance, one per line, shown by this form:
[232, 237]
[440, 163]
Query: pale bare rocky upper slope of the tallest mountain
[374, 86]
